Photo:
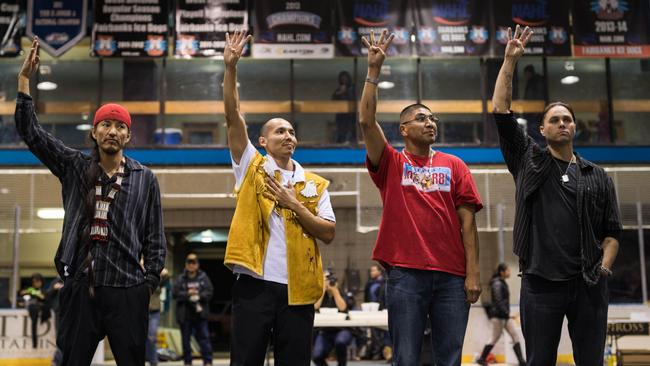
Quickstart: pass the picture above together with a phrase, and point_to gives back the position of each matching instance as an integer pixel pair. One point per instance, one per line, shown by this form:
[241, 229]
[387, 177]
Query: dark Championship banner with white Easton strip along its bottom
[292, 29]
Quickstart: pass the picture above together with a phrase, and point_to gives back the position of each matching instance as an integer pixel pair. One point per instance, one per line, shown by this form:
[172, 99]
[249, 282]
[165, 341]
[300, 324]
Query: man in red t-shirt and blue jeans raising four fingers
[427, 238]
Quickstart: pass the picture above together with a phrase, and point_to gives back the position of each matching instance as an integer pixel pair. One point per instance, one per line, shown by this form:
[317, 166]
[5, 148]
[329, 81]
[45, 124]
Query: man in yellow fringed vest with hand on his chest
[281, 211]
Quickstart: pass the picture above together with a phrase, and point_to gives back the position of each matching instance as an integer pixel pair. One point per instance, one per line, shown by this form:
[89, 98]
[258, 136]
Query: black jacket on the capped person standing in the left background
[179, 293]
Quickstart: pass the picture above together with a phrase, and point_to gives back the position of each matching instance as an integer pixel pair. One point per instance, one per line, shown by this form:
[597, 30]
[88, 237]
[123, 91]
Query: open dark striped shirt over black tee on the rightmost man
[597, 208]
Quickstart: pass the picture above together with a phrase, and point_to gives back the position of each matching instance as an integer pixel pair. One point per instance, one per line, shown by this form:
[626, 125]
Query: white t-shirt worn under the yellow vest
[275, 261]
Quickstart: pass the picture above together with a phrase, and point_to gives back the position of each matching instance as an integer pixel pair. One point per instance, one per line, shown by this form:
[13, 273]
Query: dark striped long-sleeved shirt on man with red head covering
[135, 216]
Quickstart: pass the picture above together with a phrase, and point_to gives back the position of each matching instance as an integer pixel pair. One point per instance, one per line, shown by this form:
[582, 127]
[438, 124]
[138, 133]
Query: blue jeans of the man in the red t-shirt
[411, 296]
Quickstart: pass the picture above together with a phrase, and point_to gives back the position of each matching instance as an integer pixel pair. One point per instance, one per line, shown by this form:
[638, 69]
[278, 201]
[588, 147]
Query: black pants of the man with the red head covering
[119, 313]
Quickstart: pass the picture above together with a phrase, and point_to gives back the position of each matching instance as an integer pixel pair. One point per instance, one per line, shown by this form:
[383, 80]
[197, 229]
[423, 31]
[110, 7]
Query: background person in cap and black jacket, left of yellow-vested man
[192, 291]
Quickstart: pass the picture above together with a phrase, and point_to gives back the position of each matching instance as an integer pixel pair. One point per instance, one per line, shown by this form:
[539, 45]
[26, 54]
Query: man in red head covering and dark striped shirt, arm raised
[113, 218]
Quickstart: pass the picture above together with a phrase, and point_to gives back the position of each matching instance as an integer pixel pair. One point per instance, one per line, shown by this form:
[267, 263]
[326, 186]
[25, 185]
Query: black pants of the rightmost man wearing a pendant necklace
[544, 304]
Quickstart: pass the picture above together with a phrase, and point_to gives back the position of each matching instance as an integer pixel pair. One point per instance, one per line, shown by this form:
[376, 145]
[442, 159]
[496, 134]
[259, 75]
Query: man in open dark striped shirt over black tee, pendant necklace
[566, 226]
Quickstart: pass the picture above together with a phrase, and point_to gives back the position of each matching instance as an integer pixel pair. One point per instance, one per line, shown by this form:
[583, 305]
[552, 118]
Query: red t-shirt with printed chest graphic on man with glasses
[419, 224]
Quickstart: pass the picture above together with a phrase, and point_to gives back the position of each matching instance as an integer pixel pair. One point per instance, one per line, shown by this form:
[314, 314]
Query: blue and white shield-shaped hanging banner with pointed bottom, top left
[58, 24]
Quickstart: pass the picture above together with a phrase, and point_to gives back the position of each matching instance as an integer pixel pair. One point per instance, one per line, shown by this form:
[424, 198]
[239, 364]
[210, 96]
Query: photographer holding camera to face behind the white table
[328, 338]
